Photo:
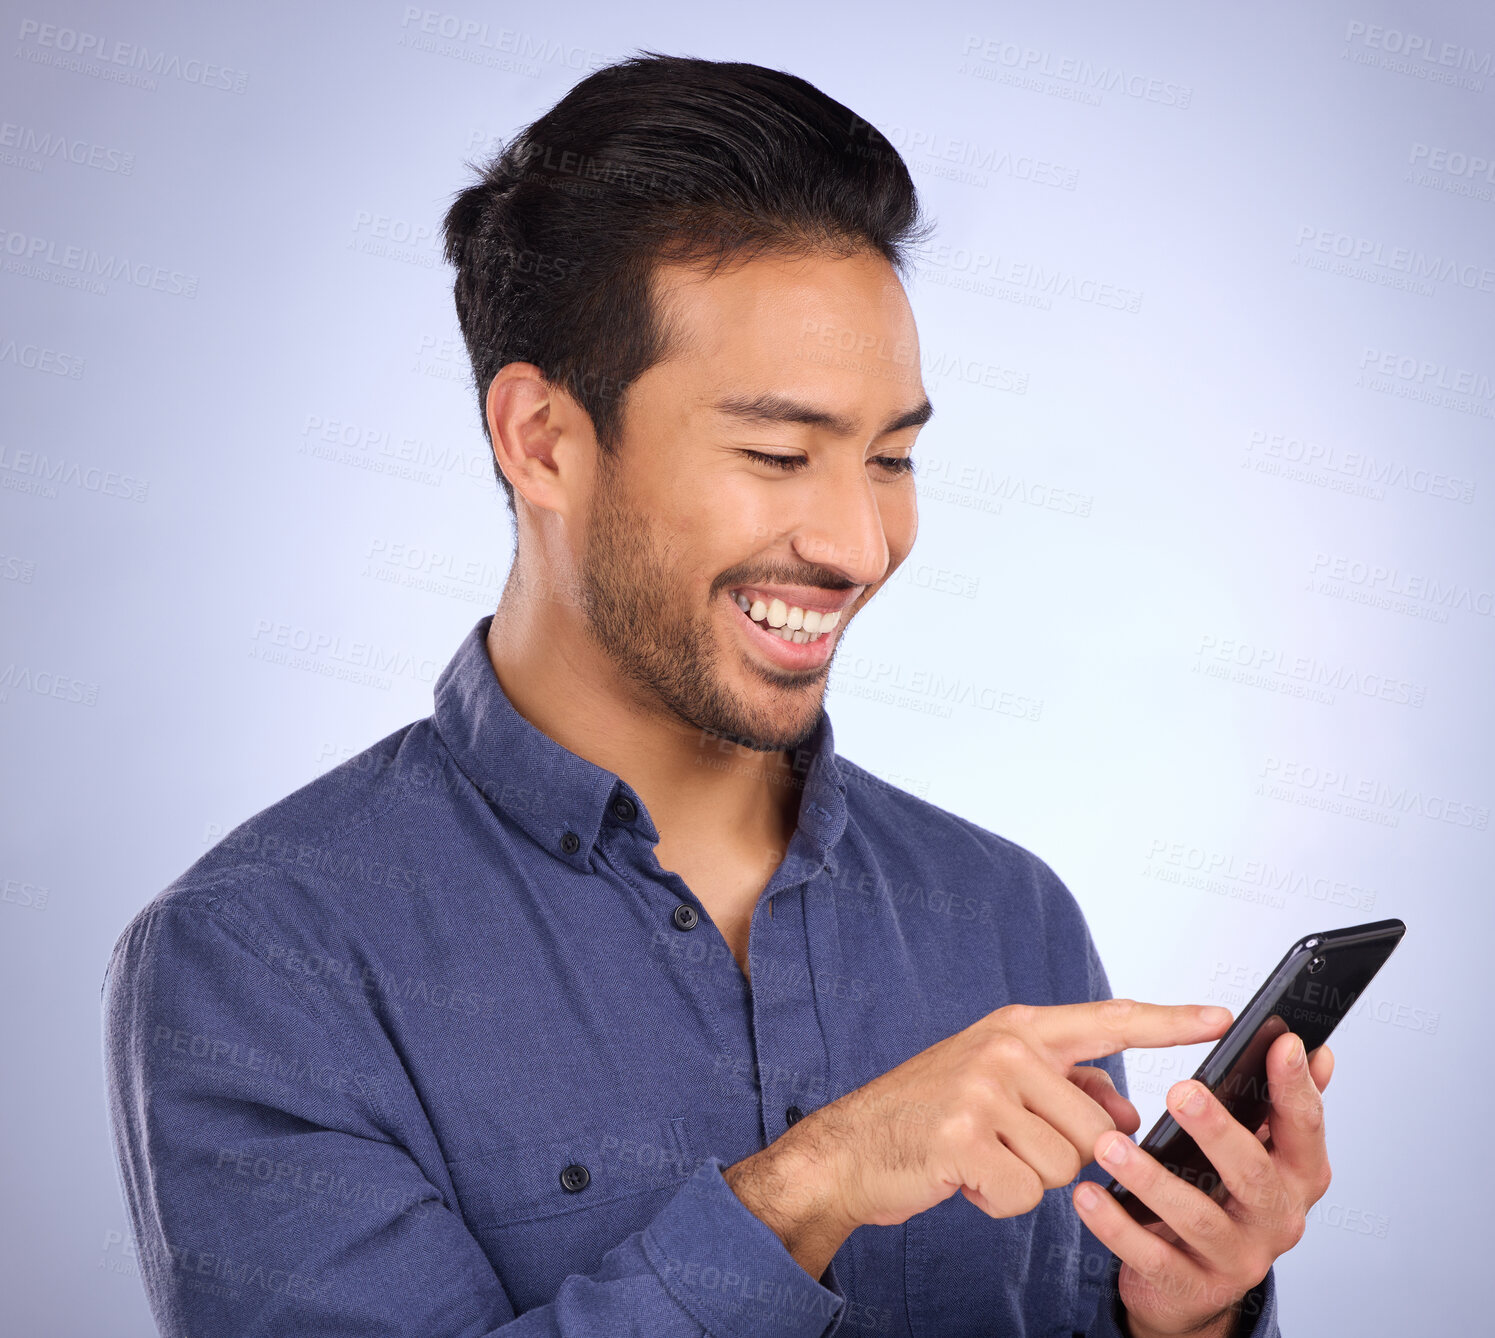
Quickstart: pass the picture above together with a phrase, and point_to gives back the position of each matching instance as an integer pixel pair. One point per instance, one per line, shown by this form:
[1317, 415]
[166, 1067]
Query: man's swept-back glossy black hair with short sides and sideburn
[657, 159]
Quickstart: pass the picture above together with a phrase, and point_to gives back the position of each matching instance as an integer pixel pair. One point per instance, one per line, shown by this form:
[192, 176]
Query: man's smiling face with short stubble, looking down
[690, 524]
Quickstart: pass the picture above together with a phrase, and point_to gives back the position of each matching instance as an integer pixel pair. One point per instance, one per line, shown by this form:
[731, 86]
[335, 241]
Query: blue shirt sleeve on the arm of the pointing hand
[271, 1191]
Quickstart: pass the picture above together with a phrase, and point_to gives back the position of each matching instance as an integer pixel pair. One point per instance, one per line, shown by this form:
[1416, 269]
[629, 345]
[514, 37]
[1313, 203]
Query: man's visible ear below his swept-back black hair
[534, 430]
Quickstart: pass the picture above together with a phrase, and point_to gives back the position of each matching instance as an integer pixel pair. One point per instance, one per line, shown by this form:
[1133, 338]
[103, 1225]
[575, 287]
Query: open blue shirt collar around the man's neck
[551, 792]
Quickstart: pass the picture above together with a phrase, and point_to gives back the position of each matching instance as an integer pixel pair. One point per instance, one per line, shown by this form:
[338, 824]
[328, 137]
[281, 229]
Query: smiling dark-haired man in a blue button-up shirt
[609, 999]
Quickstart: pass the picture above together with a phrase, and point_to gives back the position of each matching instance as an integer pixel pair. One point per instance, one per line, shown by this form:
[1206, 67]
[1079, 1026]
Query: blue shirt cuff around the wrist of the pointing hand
[729, 1270]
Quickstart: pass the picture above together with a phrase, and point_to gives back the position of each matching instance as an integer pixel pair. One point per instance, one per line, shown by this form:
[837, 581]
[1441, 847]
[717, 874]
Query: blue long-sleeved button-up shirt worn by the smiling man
[434, 1047]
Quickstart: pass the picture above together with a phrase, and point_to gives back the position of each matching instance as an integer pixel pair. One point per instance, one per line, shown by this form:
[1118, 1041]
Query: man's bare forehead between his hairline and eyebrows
[841, 325]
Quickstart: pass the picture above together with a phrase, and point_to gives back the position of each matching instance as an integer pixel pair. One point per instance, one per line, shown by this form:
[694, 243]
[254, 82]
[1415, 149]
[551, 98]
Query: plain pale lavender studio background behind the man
[1201, 608]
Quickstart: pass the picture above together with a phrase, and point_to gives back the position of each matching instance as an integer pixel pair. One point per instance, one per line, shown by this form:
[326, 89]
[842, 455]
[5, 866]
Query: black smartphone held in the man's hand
[1312, 989]
